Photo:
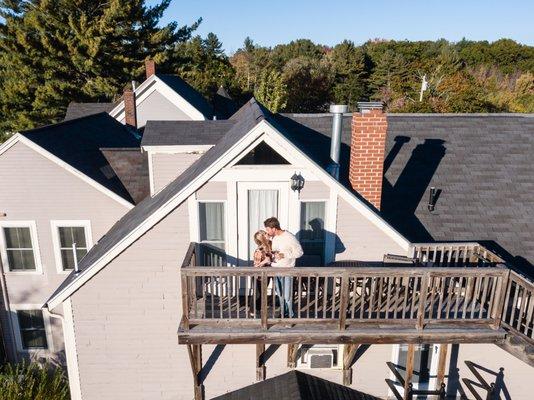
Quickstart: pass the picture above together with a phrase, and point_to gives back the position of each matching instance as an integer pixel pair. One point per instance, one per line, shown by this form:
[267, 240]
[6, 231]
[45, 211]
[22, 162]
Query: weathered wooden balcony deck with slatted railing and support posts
[446, 293]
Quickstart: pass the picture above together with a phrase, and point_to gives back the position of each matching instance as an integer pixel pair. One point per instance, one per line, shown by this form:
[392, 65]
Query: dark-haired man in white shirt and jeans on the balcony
[286, 249]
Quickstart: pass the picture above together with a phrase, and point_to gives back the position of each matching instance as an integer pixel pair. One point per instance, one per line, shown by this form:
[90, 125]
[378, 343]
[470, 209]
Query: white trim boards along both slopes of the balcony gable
[286, 149]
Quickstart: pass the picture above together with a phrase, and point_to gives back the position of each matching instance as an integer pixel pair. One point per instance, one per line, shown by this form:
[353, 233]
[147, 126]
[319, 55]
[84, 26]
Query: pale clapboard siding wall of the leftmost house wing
[35, 188]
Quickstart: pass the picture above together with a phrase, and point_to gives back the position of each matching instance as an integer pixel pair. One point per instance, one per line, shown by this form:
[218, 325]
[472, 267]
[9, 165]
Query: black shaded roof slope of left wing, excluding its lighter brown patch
[78, 143]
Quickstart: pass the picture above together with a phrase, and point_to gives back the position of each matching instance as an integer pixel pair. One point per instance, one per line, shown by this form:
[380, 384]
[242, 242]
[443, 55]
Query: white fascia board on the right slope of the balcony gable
[283, 147]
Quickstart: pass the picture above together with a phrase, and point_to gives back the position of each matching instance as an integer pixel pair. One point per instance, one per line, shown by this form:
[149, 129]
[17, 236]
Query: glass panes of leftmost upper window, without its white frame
[19, 248]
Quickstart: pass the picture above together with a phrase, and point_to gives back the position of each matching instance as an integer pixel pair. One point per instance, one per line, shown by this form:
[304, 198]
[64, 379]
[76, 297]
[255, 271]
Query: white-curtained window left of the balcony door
[211, 223]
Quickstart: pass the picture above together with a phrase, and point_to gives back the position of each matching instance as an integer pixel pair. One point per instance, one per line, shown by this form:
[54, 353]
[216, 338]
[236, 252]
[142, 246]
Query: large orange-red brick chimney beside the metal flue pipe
[368, 142]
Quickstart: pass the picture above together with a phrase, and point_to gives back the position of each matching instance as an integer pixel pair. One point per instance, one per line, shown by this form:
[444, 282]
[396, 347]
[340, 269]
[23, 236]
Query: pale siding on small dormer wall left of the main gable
[167, 167]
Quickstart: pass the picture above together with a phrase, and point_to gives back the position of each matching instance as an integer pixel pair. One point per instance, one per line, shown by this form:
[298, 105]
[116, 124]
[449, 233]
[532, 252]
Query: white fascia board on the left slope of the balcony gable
[158, 215]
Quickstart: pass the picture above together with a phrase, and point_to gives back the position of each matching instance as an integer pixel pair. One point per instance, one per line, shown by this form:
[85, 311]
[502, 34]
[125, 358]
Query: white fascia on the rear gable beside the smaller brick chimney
[155, 84]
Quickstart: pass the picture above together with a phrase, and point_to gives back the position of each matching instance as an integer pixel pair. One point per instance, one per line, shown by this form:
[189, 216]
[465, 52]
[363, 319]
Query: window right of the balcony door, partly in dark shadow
[312, 233]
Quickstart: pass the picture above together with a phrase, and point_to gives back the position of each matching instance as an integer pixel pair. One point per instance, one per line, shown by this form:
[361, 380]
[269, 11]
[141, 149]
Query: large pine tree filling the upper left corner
[56, 51]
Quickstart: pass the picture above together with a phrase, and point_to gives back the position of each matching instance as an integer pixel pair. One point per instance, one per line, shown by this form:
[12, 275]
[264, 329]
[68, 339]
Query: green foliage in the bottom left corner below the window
[32, 381]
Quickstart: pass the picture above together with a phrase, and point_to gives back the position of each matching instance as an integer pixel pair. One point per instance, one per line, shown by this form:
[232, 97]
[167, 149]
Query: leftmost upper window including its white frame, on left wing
[19, 246]
